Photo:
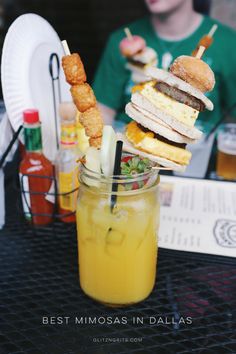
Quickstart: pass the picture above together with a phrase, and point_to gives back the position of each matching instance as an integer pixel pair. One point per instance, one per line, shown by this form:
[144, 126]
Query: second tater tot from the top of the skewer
[83, 96]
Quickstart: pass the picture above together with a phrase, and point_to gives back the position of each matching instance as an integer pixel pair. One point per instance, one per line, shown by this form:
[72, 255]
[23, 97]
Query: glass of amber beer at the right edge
[226, 155]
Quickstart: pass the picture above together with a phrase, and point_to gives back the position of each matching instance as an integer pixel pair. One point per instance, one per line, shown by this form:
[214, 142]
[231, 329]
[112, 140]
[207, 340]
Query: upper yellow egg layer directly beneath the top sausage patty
[180, 111]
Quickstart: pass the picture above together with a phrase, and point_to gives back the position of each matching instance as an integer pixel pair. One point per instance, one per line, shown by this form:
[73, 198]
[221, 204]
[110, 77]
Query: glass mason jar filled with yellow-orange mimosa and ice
[117, 224]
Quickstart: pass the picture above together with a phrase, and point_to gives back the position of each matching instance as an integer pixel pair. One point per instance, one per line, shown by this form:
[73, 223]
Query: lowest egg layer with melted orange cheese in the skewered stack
[147, 142]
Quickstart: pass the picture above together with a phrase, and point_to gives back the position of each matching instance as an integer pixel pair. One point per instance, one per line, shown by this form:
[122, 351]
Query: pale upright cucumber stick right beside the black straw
[108, 150]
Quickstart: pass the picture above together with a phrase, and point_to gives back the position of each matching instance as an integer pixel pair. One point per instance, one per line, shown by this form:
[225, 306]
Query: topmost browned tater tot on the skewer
[73, 69]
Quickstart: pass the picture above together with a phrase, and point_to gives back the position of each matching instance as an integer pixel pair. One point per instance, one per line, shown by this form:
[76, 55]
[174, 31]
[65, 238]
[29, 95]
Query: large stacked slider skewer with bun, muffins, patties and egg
[165, 110]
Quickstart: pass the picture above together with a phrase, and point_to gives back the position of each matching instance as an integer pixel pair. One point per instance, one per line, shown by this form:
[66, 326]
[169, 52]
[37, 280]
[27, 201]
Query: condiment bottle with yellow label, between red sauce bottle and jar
[66, 165]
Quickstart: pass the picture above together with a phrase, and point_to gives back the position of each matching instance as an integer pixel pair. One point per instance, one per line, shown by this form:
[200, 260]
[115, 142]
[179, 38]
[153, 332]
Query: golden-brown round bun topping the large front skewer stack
[194, 71]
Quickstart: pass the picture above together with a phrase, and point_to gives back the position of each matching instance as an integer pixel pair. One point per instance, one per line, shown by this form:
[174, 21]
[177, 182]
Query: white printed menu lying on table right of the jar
[198, 216]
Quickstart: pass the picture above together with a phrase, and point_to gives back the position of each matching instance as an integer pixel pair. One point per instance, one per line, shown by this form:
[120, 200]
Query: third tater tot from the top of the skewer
[92, 122]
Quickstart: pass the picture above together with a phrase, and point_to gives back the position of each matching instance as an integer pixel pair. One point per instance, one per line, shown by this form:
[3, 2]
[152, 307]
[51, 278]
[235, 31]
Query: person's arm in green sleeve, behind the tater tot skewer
[110, 79]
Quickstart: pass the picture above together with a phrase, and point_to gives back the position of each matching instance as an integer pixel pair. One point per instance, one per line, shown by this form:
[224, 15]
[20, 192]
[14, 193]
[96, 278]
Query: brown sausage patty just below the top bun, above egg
[180, 96]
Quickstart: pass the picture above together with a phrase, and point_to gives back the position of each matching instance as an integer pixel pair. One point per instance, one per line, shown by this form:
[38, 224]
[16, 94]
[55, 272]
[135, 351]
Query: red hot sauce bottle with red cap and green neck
[36, 173]
